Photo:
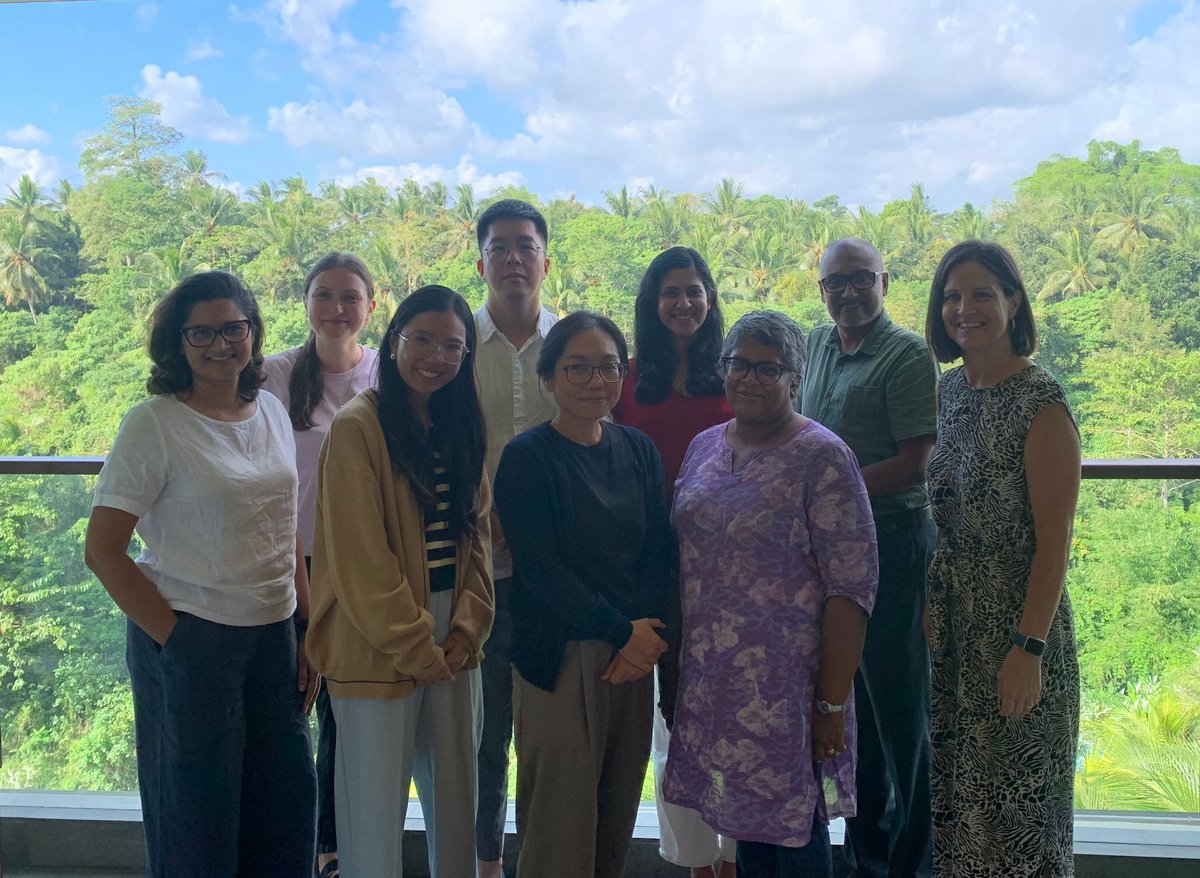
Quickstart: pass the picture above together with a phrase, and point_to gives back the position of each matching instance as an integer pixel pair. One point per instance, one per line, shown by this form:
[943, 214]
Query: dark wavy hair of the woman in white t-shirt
[170, 372]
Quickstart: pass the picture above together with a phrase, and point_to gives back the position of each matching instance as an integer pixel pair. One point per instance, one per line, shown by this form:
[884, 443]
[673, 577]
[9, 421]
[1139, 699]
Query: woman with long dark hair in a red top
[674, 392]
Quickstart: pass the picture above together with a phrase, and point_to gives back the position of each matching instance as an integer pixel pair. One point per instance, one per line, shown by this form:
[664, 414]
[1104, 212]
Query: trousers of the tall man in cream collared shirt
[494, 750]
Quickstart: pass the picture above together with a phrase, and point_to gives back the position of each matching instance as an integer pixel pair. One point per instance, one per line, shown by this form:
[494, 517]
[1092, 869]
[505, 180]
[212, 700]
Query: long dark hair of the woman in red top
[657, 358]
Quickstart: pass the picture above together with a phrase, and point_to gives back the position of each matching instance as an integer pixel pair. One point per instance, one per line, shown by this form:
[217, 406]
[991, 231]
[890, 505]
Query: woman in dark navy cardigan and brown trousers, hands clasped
[583, 507]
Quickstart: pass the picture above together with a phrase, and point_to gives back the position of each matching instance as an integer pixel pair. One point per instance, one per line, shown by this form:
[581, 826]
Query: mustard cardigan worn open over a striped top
[370, 630]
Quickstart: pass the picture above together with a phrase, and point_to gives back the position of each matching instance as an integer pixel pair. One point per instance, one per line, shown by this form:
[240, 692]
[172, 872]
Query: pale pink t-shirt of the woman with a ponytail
[340, 389]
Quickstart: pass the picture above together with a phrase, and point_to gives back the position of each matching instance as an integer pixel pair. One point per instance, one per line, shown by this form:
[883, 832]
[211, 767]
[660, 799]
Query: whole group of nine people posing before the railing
[803, 576]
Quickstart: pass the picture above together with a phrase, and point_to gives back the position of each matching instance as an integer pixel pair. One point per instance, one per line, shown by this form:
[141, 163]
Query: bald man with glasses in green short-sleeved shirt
[874, 384]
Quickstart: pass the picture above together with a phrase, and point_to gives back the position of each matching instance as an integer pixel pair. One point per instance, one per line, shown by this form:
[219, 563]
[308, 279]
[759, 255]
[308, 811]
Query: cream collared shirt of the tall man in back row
[511, 395]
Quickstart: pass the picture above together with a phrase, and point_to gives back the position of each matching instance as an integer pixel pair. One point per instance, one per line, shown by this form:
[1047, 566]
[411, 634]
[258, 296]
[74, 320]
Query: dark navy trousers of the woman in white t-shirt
[225, 765]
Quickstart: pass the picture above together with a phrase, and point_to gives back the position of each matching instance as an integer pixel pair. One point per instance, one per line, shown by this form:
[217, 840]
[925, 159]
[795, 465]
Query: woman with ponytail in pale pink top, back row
[314, 382]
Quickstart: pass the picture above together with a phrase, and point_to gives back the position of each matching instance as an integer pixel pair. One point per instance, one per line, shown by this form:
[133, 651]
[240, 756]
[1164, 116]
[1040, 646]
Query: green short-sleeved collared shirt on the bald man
[880, 394]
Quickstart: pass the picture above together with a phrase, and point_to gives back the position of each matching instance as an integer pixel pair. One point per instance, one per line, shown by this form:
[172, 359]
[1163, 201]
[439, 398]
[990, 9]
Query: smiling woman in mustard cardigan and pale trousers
[403, 591]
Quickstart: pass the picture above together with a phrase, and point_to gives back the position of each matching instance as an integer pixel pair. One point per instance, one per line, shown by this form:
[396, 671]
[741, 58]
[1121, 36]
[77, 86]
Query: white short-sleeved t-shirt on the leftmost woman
[217, 507]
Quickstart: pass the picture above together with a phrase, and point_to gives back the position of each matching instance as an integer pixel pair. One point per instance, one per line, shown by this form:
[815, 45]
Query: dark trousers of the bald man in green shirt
[891, 835]
